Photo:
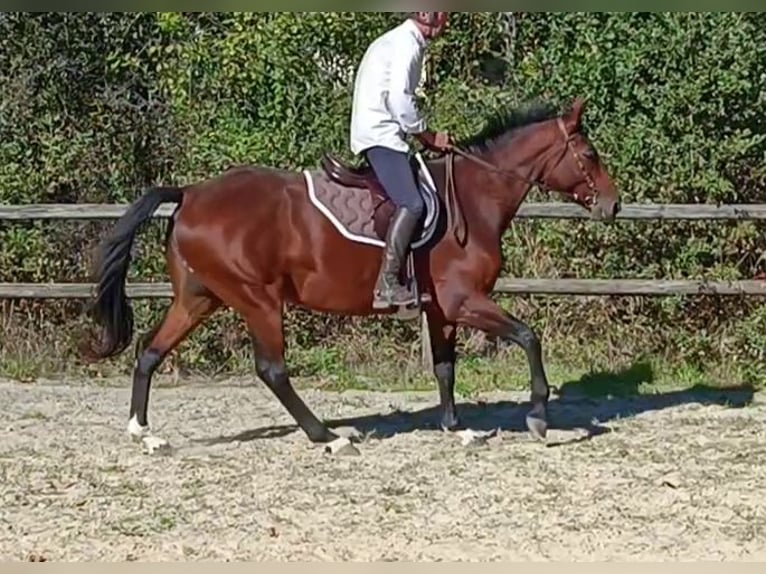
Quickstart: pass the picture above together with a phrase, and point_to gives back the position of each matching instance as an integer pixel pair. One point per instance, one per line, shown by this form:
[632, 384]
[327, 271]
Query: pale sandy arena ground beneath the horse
[674, 476]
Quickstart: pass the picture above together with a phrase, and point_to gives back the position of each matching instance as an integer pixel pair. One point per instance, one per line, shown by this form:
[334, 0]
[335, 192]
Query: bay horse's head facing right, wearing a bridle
[574, 167]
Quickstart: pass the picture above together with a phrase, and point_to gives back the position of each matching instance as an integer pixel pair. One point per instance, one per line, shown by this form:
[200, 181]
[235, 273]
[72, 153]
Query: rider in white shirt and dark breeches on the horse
[384, 112]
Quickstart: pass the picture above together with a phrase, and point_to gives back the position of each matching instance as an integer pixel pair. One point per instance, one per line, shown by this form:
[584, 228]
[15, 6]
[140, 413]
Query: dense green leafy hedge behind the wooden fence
[96, 106]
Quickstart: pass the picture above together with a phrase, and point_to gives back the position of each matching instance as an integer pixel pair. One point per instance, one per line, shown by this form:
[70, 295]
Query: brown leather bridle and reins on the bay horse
[452, 199]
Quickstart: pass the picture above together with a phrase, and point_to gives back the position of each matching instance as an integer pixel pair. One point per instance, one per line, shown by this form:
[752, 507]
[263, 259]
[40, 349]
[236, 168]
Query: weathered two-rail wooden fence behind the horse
[582, 287]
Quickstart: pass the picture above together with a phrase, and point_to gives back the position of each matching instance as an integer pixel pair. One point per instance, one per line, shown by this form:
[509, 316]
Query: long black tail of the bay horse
[111, 310]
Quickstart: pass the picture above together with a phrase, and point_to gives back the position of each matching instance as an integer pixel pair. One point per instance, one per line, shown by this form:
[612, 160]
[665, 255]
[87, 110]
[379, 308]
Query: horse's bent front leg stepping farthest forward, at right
[482, 313]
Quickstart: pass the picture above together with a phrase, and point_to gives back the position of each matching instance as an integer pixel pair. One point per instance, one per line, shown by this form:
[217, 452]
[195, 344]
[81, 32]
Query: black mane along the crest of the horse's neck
[503, 124]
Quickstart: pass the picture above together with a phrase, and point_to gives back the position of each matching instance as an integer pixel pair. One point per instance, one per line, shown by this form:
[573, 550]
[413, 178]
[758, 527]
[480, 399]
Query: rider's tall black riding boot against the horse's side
[388, 290]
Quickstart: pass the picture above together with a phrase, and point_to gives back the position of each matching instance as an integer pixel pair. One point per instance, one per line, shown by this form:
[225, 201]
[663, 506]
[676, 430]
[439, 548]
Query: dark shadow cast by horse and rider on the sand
[586, 404]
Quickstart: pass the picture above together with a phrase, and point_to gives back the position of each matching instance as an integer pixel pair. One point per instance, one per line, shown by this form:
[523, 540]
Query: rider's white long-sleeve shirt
[384, 108]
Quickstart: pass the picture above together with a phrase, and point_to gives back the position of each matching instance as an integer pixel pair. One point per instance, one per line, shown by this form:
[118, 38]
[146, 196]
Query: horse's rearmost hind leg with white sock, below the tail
[192, 304]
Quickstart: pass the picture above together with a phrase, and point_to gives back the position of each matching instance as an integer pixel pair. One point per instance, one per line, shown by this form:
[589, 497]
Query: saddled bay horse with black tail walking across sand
[257, 238]
